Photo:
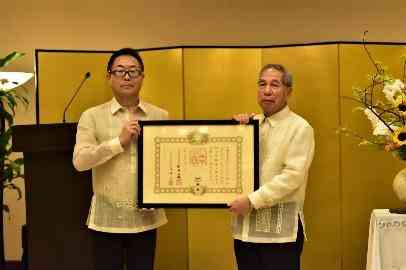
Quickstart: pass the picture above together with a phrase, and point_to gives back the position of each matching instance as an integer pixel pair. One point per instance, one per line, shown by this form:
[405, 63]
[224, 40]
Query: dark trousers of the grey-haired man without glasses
[269, 256]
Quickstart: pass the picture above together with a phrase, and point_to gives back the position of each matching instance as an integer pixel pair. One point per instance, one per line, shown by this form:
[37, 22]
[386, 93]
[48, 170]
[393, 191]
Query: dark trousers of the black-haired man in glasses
[114, 250]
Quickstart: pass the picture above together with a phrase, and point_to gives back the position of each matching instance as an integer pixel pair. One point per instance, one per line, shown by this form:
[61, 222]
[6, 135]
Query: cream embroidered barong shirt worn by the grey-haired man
[286, 153]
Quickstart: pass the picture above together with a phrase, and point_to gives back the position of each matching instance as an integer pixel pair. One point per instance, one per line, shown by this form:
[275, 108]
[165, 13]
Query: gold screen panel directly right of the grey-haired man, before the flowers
[315, 97]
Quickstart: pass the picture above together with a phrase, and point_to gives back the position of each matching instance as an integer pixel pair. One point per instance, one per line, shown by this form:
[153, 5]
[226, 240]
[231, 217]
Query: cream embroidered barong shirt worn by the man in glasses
[114, 169]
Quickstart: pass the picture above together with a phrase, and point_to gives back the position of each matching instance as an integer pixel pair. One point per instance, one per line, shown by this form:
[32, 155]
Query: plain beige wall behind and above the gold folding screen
[74, 24]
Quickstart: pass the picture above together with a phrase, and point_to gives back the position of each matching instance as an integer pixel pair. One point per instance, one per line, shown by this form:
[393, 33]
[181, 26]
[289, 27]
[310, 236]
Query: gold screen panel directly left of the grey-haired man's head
[218, 84]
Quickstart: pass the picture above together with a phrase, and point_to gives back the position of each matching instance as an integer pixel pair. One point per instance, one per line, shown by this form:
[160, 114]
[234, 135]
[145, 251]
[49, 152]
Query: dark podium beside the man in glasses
[57, 198]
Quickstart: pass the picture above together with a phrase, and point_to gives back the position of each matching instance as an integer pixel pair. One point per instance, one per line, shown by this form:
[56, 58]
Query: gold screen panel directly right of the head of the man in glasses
[163, 86]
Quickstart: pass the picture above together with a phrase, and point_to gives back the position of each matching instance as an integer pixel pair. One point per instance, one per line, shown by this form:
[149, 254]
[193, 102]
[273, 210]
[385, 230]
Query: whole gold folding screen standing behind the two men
[215, 83]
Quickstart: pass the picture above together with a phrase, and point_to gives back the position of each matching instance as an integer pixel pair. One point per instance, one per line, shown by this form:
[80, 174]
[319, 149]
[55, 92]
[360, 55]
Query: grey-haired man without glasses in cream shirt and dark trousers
[268, 224]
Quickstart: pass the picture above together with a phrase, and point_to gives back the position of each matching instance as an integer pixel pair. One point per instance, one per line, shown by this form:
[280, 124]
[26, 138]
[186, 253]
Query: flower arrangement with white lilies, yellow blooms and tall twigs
[383, 102]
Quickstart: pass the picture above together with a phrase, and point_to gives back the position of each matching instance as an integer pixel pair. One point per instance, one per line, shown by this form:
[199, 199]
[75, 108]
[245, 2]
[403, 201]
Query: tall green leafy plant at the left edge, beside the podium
[10, 168]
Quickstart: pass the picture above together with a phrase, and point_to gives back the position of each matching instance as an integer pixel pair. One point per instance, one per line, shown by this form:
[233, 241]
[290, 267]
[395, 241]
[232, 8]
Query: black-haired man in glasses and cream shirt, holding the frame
[106, 139]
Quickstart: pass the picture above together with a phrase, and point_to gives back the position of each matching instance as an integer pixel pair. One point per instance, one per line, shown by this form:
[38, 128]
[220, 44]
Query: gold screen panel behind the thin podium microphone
[59, 75]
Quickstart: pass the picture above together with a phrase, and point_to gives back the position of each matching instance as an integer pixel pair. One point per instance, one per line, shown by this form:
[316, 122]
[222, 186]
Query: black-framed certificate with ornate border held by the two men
[196, 163]
